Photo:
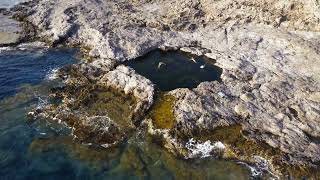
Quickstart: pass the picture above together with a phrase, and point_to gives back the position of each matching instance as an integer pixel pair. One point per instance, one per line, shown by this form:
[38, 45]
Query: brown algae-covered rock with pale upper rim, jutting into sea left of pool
[101, 107]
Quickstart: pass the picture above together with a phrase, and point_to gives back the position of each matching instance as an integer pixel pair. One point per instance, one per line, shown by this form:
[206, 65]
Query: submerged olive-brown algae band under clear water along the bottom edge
[137, 160]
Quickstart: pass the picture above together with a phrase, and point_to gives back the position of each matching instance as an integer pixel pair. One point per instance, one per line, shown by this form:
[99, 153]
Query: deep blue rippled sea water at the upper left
[29, 67]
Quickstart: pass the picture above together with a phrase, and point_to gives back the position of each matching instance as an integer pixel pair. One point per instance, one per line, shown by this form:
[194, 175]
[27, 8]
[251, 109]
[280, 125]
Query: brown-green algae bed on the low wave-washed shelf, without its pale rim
[96, 113]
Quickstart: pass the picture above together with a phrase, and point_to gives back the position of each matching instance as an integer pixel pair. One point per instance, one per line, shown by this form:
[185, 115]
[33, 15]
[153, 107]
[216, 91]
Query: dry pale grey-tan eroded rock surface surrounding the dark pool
[268, 50]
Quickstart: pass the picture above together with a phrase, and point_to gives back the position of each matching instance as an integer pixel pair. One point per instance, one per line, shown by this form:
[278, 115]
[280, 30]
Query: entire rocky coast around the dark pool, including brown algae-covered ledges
[268, 51]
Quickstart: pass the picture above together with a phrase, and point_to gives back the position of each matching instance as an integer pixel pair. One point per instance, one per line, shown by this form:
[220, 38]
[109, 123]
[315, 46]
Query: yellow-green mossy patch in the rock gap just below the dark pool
[161, 112]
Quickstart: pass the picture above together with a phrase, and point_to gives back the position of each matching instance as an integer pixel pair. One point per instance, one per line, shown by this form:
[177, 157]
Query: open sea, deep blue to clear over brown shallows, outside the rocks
[44, 150]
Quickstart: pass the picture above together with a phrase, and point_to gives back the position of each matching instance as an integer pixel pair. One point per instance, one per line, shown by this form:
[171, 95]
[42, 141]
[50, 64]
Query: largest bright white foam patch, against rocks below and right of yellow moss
[204, 149]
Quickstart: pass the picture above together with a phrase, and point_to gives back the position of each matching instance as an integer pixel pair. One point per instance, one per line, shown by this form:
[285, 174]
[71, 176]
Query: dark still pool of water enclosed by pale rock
[170, 70]
